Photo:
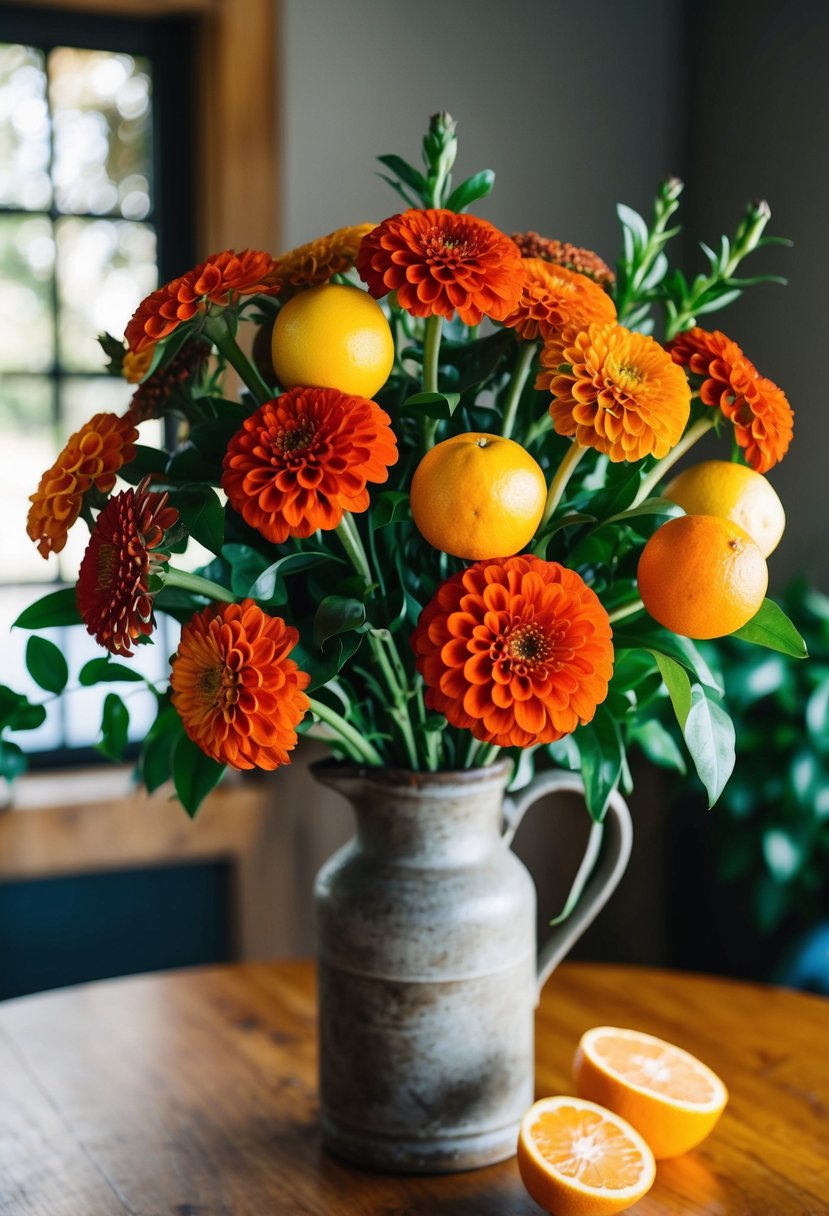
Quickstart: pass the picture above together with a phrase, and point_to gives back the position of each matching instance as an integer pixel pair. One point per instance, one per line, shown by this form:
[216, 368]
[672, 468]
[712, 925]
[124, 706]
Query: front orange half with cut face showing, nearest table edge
[578, 1158]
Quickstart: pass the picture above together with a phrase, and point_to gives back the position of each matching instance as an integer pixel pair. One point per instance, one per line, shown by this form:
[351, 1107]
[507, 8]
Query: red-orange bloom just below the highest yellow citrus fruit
[304, 459]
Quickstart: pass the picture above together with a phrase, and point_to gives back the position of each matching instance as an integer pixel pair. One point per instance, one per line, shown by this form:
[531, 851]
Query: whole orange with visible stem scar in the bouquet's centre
[478, 496]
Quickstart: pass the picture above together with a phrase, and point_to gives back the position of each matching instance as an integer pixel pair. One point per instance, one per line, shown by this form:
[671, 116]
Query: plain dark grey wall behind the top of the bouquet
[580, 105]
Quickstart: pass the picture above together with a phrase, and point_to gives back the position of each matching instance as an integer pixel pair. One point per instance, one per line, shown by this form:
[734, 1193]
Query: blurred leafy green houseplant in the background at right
[765, 854]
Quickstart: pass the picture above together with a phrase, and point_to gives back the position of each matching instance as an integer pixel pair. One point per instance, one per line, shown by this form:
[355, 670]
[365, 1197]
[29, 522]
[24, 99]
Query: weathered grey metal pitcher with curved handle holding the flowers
[428, 975]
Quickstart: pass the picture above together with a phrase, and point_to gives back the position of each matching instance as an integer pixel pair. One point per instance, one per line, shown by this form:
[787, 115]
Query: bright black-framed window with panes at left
[97, 173]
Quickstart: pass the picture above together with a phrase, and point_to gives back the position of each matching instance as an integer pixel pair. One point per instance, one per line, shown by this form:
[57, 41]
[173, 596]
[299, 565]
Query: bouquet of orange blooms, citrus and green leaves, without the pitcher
[433, 515]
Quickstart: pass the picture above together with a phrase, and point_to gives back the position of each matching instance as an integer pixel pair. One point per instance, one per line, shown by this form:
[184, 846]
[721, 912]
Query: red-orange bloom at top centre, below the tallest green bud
[441, 263]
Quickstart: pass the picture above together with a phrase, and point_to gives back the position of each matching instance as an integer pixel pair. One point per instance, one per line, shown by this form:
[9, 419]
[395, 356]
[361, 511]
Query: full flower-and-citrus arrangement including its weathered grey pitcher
[436, 531]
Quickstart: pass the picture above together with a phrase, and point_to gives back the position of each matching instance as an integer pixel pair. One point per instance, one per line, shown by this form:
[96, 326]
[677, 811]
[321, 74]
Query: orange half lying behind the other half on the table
[668, 1095]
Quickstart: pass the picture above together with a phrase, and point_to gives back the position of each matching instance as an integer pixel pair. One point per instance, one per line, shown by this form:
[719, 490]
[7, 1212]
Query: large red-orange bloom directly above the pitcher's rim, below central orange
[516, 650]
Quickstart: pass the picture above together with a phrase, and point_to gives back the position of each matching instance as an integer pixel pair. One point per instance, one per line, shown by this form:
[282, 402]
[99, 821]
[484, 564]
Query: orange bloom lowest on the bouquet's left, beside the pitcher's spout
[239, 695]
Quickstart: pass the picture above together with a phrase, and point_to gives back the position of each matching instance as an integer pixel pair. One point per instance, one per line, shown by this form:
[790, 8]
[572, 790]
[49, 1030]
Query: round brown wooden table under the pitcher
[194, 1095]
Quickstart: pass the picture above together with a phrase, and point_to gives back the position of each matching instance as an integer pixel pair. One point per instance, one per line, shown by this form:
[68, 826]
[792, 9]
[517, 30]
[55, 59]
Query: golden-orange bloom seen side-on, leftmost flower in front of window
[92, 458]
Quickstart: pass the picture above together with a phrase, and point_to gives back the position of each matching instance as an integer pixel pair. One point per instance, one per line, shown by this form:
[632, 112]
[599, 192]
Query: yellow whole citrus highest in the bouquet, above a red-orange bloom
[334, 336]
